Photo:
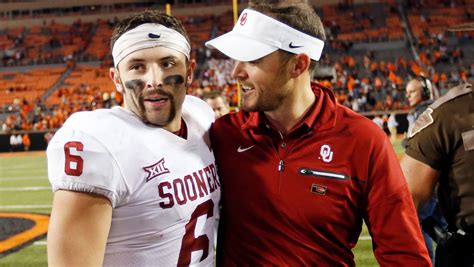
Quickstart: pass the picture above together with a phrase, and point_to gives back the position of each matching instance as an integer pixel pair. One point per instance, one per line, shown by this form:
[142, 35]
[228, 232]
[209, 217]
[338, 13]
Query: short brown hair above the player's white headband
[148, 16]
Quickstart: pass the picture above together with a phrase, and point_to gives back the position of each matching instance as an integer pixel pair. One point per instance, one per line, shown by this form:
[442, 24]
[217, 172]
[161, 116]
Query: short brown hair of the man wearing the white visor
[297, 14]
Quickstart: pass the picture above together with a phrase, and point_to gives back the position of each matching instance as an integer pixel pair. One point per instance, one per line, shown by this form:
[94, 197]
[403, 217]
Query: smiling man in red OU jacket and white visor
[299, 172]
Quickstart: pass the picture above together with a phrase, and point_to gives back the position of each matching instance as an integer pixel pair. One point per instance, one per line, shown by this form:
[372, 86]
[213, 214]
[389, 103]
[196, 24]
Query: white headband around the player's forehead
[149, 35]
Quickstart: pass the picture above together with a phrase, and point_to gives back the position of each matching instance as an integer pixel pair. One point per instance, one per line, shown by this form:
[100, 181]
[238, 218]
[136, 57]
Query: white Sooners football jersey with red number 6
[164, 189]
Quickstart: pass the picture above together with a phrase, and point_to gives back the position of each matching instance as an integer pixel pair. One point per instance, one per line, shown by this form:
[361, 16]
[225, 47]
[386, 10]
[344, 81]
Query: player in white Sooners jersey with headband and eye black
[137, 185]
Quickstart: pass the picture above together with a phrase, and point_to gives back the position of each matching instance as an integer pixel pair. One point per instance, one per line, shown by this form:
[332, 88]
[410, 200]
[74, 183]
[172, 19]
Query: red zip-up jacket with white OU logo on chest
[300, 200]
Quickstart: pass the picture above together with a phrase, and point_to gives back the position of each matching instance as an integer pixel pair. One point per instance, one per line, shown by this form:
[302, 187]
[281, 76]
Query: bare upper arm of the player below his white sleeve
[78, 229]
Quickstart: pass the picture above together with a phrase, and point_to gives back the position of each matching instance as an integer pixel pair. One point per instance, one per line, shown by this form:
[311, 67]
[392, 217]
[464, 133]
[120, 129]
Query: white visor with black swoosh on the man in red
[256, 35]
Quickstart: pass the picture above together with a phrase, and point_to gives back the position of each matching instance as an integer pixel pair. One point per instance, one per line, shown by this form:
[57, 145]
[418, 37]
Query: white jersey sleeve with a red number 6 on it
[79, 162]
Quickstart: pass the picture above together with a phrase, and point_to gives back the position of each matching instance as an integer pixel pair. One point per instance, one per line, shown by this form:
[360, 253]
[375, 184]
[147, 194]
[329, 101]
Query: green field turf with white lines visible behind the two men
[22, 179]
